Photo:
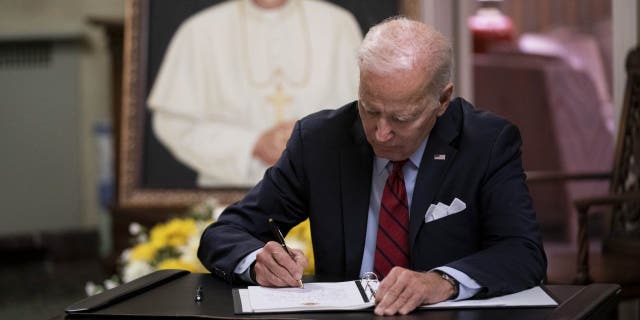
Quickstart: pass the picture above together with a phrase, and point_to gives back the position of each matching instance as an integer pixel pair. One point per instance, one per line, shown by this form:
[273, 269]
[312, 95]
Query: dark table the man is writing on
[175, 299]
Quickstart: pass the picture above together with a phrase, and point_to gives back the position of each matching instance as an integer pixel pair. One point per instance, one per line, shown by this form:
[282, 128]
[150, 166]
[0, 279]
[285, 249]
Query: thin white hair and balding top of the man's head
[399, 44]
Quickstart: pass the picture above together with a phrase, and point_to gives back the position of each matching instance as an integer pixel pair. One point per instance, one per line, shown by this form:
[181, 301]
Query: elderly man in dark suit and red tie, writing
[422, 189]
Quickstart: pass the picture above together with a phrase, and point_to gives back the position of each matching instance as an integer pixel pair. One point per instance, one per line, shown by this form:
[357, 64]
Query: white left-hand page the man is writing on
[314, 296]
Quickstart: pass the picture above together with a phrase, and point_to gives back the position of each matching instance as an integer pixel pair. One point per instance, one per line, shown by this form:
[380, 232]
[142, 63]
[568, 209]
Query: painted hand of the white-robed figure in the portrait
[272, 142]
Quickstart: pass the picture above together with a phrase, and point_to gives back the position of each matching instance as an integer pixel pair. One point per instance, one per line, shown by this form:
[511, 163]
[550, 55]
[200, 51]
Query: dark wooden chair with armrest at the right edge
[618, 261]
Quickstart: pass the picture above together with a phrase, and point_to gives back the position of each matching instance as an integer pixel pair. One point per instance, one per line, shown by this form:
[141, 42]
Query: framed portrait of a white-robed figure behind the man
[158, 164]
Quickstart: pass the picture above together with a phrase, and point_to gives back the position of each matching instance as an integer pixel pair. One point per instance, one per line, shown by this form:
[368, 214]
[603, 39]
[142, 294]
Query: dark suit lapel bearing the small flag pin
[436, 160]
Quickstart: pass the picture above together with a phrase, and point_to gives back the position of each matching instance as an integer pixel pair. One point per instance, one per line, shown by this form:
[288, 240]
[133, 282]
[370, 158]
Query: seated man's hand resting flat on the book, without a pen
[403, 290]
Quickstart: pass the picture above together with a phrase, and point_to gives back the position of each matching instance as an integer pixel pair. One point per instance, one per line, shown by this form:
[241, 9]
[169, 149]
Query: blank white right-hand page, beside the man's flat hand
[534, 297]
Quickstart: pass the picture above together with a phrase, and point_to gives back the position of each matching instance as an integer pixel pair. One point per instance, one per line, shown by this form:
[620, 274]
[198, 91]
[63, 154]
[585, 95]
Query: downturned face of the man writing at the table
[396, 112]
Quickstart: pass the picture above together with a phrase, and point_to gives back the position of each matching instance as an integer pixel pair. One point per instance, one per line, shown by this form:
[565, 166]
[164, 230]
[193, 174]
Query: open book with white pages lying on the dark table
[357, 295]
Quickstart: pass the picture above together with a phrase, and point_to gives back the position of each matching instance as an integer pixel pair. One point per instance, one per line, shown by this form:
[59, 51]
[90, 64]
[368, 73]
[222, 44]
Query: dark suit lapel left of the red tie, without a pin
[356, 165]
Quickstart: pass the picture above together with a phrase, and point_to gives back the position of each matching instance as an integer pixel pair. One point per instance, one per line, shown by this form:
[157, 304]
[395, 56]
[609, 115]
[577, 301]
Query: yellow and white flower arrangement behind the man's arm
[174, 245]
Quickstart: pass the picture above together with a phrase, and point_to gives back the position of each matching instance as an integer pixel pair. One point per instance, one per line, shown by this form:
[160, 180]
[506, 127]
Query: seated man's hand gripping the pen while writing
[275, 268]
